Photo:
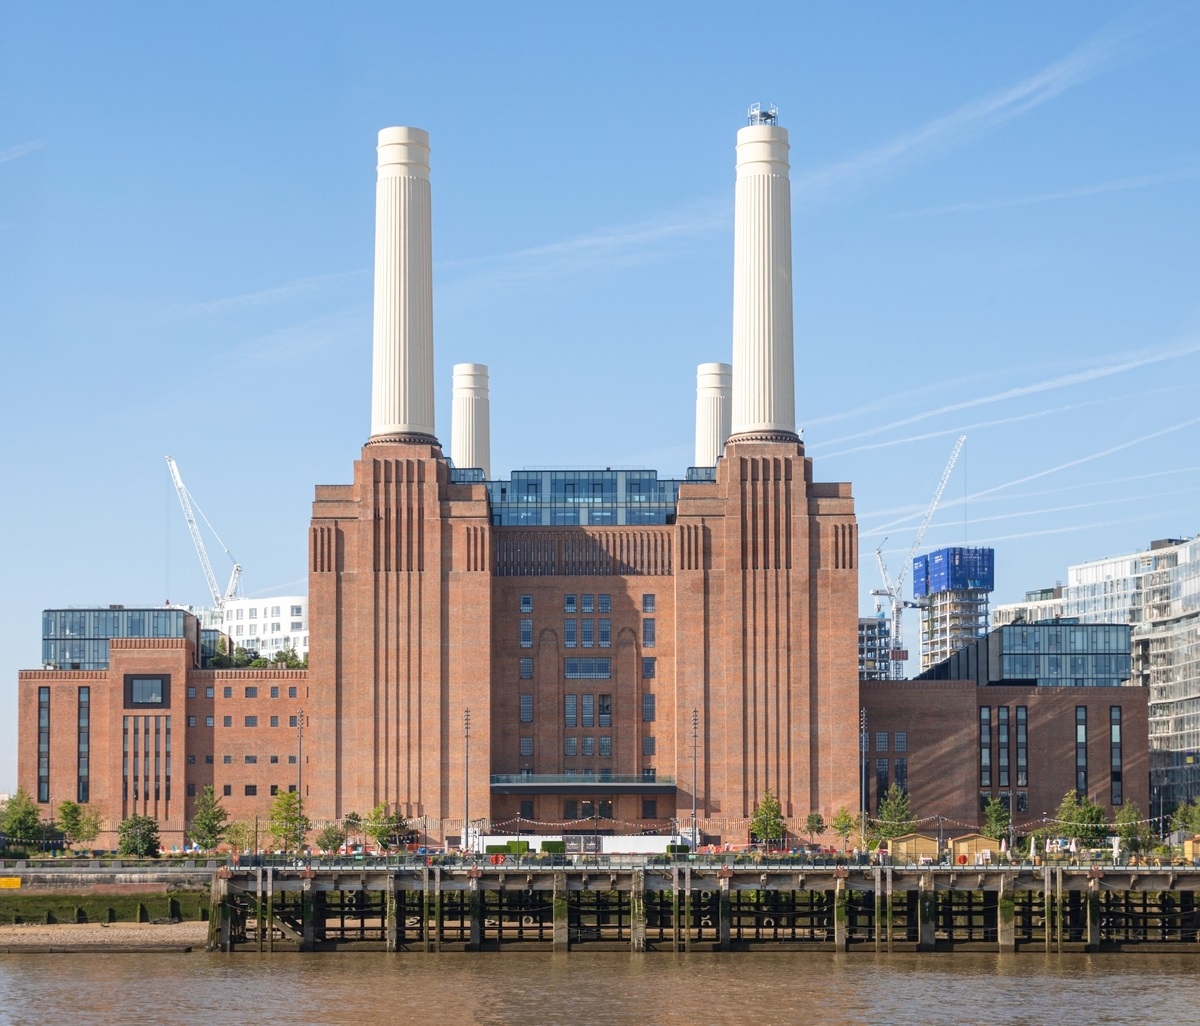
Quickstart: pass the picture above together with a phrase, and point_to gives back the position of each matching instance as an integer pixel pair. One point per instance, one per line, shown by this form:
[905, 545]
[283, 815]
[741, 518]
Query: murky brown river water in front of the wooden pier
[598, 988]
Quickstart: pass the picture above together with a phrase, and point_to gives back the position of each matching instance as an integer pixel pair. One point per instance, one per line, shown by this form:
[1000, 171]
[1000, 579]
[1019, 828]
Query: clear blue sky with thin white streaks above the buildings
[997, 229]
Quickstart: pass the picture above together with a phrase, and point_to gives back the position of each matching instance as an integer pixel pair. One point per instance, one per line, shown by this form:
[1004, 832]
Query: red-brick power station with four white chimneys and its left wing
[556, 652]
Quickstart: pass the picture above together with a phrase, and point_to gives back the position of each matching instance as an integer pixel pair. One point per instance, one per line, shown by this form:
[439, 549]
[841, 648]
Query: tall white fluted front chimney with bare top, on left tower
[403, 359]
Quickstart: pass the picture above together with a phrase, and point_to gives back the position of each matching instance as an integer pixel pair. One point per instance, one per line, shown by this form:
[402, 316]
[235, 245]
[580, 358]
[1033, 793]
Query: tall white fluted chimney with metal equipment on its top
[764, 376]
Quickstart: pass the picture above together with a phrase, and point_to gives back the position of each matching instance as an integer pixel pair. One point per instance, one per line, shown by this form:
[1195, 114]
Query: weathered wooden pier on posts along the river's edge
[704, 907]
